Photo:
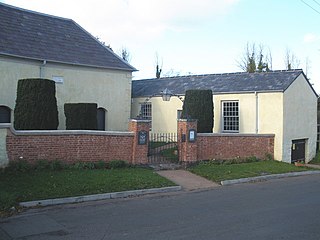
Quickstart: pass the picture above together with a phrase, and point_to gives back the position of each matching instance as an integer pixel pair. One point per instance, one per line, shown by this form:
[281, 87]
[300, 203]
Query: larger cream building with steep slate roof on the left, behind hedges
[36, 45]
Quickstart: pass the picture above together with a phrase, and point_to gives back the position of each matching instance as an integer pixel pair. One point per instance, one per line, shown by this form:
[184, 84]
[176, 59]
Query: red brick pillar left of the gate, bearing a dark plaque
[140, 149]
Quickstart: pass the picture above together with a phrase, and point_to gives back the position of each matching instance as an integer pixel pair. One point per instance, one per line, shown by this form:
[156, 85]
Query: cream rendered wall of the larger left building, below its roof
[110, 89]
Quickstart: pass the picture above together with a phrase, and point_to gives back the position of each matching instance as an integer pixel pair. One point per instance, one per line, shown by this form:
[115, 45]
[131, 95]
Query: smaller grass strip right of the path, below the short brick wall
[219, 172]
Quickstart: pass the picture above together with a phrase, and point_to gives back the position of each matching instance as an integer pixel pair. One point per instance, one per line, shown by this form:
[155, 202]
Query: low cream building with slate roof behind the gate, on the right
[278, 102]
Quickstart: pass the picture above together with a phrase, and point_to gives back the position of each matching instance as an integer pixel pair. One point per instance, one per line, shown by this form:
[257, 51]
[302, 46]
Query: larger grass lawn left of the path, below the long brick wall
[45, 184]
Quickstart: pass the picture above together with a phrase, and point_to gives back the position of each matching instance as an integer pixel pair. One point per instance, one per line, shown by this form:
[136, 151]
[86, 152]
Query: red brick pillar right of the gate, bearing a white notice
[188, 150]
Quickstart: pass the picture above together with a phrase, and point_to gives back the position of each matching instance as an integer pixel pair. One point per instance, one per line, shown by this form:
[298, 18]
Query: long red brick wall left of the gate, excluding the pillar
[69, 148]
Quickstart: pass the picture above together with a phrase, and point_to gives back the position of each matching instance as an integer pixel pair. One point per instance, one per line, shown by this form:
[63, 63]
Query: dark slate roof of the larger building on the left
[38, 36]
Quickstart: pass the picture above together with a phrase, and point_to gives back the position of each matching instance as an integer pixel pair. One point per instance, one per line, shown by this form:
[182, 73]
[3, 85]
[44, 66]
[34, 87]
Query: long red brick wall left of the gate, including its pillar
[74, 146]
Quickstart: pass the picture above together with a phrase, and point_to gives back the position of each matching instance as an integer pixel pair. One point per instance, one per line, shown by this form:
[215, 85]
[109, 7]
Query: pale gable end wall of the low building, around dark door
[300, 118]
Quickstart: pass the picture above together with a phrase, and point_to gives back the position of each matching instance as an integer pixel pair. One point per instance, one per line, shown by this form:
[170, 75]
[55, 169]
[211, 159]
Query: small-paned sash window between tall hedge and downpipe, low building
[230, 116]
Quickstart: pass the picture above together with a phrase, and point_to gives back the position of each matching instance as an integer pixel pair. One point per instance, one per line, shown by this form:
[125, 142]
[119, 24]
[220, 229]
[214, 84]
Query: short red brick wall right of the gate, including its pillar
[221, 146]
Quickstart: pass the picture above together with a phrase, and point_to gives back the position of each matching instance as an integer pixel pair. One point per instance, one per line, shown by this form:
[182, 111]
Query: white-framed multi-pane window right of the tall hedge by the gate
[233, 115]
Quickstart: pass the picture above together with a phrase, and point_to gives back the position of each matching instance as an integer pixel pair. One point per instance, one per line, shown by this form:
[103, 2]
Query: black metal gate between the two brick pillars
[163, 148]
